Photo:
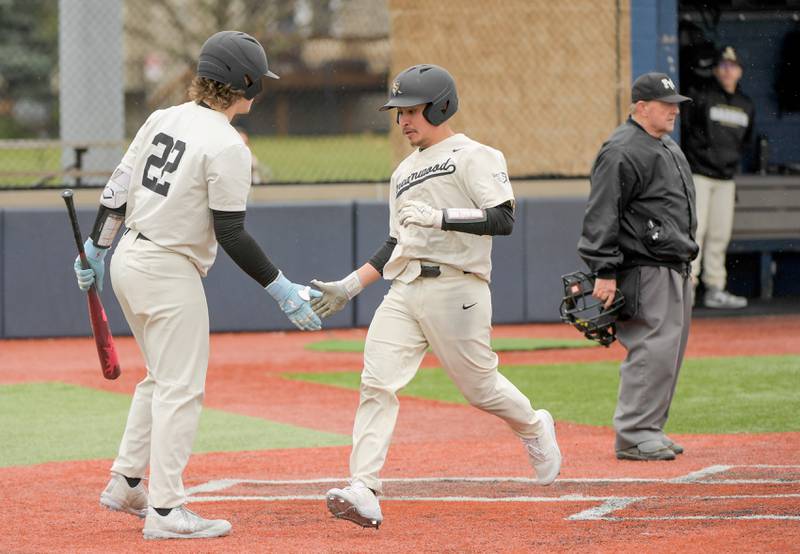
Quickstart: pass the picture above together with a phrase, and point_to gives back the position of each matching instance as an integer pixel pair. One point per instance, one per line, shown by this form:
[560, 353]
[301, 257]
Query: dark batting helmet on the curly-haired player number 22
[237, 59]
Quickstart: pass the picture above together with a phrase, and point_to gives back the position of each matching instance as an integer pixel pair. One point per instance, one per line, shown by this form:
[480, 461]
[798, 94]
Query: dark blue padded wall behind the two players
[306, 240]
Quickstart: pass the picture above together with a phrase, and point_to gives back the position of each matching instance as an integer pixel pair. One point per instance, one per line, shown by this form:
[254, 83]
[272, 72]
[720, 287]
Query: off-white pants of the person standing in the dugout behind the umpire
[715, 201]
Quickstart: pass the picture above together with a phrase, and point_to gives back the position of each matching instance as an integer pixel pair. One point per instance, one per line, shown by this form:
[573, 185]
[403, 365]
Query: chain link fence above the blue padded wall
[542, 81]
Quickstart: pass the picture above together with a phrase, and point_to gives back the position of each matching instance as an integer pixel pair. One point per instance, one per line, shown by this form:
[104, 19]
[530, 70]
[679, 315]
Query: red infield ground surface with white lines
[457, 479]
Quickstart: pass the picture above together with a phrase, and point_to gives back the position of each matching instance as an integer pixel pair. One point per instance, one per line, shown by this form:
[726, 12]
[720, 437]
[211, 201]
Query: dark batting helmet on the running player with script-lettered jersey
[425, 84]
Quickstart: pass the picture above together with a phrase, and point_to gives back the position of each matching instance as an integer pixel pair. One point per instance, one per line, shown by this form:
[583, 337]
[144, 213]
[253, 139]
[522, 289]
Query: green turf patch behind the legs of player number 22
[41, 422]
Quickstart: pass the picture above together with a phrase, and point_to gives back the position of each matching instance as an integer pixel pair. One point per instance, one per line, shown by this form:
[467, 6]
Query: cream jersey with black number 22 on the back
[184, 162]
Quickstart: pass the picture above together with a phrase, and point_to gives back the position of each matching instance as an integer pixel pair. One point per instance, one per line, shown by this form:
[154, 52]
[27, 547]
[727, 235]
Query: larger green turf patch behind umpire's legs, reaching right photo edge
[714, 395]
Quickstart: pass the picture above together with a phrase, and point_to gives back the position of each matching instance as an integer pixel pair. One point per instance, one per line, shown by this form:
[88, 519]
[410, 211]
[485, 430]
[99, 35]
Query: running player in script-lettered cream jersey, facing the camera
[446, 201]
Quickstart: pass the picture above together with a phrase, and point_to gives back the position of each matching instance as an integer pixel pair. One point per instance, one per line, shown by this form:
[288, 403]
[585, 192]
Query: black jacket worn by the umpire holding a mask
[641, 208]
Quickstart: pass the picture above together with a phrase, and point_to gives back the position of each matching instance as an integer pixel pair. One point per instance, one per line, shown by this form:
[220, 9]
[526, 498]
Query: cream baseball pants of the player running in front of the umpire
[452, 313]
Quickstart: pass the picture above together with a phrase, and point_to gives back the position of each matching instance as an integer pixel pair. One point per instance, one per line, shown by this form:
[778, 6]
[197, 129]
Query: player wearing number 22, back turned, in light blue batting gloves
[181, 189]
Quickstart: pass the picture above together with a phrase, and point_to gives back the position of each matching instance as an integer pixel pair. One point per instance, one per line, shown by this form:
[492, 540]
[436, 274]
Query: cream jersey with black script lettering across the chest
[457, 172]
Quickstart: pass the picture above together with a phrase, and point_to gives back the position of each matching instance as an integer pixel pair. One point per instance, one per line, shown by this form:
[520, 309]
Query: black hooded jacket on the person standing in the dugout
[716, 128]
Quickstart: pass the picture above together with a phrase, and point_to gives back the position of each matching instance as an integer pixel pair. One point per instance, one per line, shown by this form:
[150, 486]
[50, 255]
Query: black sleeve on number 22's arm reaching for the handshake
[242, 248]
